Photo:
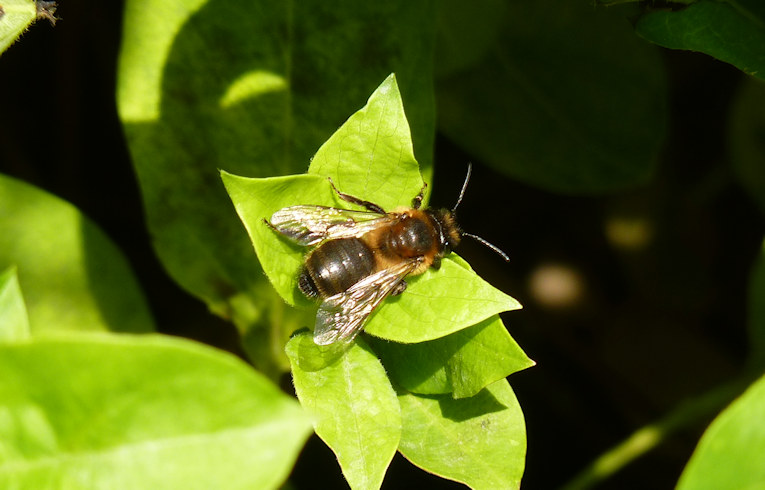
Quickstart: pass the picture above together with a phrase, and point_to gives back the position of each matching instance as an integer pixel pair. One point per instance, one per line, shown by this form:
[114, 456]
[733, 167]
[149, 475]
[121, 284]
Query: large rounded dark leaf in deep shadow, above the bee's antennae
[567, 98]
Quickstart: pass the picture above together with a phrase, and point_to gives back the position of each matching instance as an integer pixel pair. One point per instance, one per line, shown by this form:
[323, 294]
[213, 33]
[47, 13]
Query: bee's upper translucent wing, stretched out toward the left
[309, 225]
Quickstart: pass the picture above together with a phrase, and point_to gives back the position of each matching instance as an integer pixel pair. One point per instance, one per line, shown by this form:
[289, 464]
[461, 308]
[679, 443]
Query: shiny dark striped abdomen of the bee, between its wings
[335, 266]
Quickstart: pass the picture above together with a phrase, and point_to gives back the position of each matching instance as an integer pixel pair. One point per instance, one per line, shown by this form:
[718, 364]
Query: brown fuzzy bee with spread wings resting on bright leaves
[359, 258]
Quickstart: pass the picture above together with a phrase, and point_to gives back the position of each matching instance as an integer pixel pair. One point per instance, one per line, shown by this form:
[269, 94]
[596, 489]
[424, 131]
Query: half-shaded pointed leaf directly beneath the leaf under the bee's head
[462, 363]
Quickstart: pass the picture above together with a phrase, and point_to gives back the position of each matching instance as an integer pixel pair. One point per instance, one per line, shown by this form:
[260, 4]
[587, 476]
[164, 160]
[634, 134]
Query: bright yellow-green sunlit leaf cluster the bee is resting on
[439, 349]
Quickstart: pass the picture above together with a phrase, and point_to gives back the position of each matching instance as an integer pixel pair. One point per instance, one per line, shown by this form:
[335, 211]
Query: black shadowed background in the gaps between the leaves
[647, 328]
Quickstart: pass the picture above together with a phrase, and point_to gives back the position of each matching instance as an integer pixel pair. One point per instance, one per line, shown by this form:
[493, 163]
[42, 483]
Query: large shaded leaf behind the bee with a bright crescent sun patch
[255, 90]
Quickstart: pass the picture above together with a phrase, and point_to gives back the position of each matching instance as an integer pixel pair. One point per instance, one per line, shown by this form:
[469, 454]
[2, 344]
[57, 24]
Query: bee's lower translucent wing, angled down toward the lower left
[342, 316]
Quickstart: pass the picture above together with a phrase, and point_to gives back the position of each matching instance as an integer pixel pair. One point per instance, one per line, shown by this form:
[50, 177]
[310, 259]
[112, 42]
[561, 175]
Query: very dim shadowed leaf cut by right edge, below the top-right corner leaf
[746, 137]
